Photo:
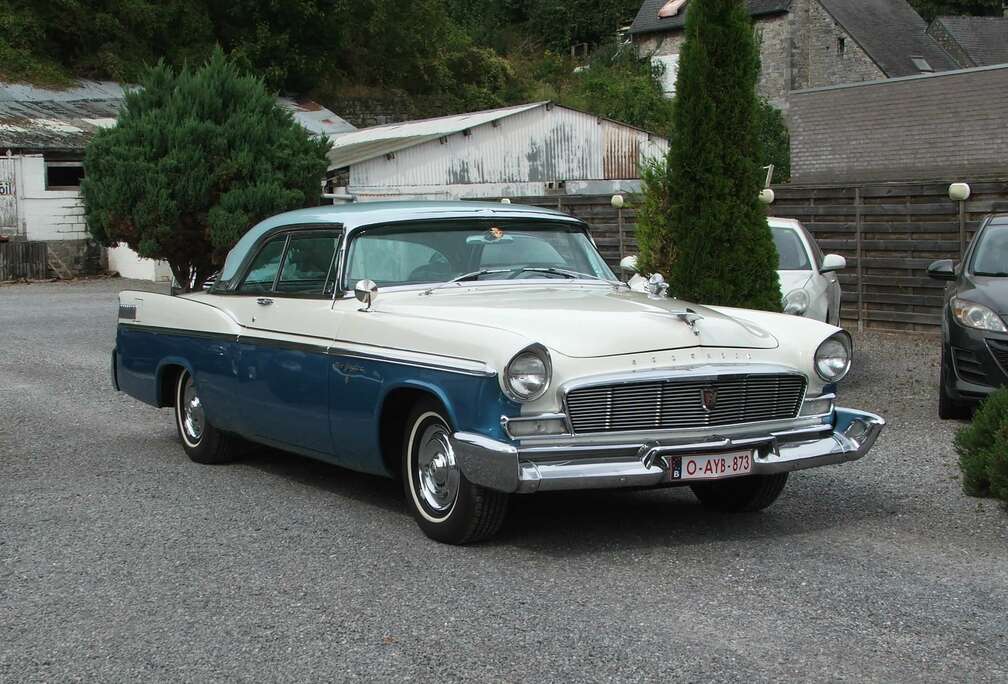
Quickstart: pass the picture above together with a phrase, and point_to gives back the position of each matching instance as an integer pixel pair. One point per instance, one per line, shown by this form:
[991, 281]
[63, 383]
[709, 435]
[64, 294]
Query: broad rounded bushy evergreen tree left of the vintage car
[198, 158]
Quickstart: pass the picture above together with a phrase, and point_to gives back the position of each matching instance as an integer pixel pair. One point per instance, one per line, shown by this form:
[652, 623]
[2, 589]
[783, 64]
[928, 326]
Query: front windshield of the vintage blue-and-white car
[437, 252]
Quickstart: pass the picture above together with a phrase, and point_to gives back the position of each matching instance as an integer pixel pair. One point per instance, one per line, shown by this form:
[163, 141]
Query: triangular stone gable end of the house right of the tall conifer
[817, 57]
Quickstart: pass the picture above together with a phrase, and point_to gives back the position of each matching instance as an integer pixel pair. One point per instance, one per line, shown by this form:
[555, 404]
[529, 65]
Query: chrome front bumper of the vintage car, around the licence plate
[507, 468]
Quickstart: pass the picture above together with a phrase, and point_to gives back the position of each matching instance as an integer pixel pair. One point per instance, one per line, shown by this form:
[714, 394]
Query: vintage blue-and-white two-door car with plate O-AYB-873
[479, 351]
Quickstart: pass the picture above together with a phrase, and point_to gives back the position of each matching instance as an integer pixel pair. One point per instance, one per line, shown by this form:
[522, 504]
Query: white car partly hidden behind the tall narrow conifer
[809, 284]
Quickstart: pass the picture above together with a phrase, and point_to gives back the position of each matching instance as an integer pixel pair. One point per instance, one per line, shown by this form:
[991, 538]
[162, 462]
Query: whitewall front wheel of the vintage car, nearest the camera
[448, 507]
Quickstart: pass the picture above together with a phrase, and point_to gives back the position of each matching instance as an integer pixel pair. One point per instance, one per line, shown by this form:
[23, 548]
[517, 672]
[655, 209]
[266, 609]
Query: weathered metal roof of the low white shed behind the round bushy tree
[64, 120]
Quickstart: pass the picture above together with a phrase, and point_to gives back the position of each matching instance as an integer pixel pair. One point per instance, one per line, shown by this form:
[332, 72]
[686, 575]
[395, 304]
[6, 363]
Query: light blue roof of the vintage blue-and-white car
[358, 215]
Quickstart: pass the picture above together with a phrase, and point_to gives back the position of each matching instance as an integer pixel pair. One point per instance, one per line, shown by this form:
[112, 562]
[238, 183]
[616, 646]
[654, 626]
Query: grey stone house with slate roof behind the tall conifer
[809, 44]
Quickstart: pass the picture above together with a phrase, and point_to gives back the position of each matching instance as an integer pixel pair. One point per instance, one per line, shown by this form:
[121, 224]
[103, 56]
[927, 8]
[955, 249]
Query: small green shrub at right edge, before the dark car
[983, 450]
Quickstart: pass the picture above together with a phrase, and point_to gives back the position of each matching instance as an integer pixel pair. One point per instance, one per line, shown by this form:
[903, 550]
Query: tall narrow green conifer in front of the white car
[702, 225]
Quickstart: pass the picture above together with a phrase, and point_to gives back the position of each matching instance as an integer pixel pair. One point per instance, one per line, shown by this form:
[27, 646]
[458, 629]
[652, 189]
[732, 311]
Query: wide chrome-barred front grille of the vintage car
[685, 403]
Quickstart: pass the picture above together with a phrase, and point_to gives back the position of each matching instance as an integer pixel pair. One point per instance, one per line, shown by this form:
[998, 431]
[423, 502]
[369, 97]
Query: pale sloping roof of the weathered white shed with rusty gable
[377, 142]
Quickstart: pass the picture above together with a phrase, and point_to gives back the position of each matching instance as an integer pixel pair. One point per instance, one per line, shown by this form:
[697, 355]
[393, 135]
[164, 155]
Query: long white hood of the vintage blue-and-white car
[581, 322]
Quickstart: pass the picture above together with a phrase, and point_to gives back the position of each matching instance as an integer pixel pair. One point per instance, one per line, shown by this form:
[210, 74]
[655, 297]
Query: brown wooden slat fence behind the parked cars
[890, 233]
